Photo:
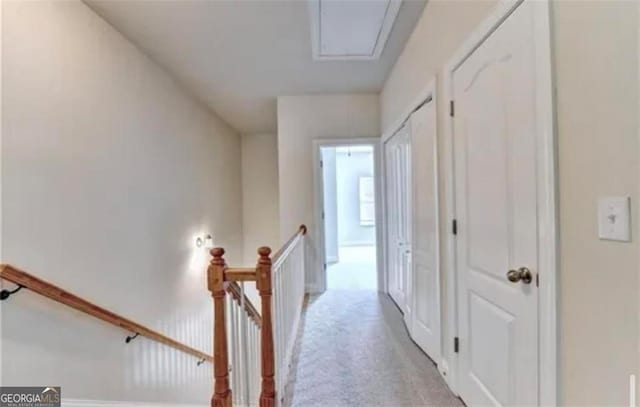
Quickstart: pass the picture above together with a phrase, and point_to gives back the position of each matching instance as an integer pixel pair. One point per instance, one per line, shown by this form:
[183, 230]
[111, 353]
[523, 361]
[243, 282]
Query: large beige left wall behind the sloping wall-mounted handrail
[109, 172]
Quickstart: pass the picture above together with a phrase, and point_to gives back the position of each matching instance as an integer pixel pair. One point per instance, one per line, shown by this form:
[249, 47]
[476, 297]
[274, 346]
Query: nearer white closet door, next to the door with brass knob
[424, 290]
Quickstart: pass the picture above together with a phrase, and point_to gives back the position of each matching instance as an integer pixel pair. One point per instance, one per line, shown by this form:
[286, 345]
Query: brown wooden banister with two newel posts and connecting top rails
[222, 280]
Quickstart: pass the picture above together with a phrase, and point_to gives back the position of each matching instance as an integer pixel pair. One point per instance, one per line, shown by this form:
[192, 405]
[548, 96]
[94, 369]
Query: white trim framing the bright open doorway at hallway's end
[320, 285]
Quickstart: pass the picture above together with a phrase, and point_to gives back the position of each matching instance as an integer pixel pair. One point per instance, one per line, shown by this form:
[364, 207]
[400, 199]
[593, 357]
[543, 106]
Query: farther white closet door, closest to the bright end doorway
[398, 222]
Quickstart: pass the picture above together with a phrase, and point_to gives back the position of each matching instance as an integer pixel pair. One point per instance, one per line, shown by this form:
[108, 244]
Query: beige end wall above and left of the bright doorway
[301, 119]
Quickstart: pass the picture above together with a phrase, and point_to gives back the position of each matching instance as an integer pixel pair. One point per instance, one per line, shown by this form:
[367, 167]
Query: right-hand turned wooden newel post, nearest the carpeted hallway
[268, 394]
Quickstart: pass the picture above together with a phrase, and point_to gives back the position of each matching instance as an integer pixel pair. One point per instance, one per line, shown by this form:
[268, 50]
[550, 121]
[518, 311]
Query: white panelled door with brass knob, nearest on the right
[495, 187]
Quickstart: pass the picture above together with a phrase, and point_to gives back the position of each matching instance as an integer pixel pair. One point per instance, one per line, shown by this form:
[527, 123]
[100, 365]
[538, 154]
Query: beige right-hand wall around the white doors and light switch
[596, 69]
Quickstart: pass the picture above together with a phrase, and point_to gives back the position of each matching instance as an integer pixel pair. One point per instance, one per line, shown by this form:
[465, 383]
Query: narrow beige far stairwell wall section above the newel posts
[260, 194]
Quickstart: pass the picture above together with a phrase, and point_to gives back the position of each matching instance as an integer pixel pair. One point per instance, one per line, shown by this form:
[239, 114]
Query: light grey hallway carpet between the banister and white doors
[353, 350]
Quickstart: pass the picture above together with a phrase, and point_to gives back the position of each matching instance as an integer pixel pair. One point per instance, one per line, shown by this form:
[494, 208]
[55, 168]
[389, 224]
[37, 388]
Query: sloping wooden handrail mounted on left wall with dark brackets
[64, 297]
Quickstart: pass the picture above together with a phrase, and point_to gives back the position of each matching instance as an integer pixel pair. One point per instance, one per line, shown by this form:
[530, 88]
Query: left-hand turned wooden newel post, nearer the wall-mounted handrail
[215, 276]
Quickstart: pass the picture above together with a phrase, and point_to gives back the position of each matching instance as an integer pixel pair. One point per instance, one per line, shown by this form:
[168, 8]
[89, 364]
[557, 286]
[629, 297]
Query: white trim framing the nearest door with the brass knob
[547, 205]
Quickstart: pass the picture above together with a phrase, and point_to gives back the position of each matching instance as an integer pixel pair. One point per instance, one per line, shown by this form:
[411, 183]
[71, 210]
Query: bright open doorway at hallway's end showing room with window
[349, 216]
